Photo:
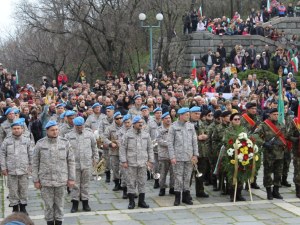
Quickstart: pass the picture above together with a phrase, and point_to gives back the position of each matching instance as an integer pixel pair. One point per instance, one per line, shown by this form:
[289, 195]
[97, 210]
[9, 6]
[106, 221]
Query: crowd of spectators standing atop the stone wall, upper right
[252, 25]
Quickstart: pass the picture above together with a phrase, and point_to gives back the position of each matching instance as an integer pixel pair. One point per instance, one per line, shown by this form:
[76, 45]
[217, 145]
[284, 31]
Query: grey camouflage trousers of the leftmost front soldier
[18, 189]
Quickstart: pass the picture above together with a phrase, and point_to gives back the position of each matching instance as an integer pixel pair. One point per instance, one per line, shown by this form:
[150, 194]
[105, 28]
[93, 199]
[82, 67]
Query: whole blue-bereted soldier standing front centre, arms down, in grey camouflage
[135, 153]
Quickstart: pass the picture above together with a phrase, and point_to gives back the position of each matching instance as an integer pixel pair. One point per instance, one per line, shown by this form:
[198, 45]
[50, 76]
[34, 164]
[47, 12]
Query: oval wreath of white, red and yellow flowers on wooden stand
[242, 159]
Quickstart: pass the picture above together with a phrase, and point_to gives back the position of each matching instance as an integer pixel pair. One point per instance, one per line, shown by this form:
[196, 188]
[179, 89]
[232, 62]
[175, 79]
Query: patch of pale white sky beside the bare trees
[6, 19]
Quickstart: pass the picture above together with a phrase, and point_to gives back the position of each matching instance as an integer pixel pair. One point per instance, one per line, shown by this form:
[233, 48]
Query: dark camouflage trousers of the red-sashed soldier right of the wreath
[272, 166]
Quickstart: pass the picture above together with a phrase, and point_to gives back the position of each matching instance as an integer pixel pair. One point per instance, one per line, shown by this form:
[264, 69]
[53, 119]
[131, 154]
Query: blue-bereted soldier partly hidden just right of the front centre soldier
[153, 126]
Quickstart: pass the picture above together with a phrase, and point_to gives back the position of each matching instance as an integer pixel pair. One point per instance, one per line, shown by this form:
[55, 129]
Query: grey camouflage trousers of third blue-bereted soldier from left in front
[81, 187]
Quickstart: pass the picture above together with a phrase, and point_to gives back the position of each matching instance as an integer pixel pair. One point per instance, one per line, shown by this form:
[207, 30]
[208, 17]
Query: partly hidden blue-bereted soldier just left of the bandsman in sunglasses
[103, 124]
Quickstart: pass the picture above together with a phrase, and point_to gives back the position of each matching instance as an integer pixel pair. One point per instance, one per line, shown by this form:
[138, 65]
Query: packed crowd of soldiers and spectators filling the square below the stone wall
[155, 125]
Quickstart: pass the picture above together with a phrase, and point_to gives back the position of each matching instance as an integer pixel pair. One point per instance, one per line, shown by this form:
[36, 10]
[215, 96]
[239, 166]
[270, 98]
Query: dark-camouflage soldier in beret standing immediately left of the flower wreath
[216, 137]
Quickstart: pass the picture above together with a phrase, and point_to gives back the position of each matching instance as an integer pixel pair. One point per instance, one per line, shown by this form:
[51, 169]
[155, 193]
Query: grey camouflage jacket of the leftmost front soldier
[16, 154]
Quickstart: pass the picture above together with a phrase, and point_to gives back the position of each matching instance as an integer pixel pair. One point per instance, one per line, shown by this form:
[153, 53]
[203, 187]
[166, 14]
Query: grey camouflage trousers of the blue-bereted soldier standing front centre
[136, 178]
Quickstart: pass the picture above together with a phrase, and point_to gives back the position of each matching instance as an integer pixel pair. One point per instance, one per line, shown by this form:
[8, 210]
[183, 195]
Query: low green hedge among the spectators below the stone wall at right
[261, 74]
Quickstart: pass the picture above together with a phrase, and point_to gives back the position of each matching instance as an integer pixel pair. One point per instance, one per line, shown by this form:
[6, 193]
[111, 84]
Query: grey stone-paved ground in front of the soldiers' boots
[109, 208]
